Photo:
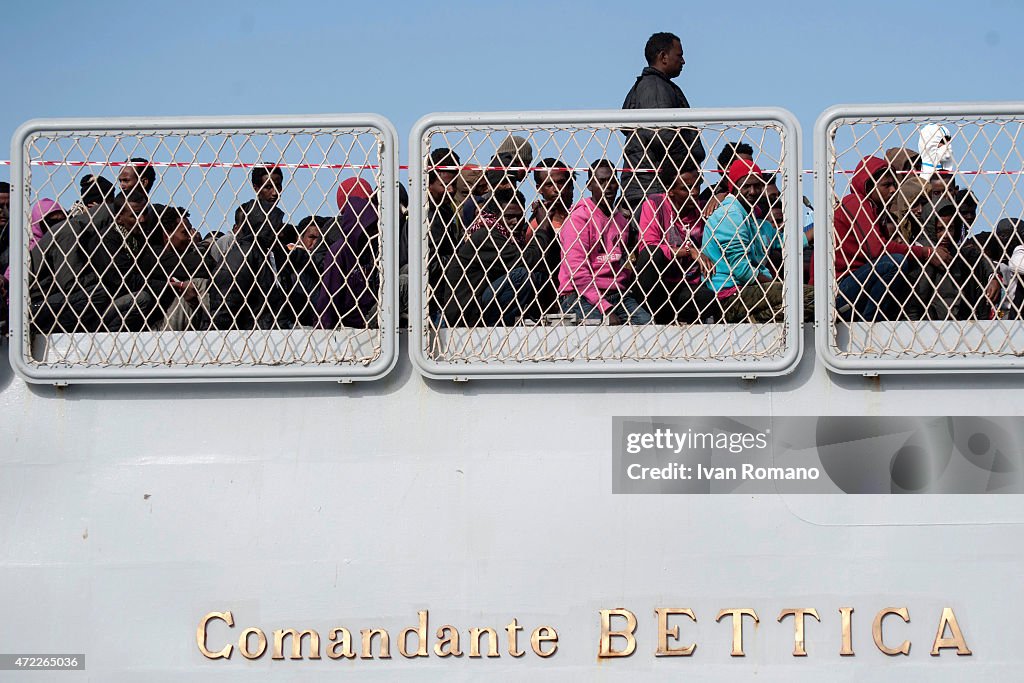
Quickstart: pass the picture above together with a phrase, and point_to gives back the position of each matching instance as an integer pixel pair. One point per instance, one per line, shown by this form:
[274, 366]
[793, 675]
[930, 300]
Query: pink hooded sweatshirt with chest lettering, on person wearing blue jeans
[593, 255]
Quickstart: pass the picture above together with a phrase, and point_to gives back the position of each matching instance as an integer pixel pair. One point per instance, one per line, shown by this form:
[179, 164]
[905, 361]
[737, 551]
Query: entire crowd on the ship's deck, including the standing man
[647, 242]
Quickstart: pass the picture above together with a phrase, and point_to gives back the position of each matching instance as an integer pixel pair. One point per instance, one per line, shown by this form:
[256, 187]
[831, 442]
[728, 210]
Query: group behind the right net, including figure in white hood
[909, 246]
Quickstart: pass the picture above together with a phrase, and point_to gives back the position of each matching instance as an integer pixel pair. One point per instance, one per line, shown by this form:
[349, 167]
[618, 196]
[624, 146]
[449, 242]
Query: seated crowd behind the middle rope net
[682, 254]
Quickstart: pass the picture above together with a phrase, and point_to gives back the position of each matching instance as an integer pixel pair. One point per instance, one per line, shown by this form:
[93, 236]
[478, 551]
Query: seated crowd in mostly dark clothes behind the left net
[117, 262]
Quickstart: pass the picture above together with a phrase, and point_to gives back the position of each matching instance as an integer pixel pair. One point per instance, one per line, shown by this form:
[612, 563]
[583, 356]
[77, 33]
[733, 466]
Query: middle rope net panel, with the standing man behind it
[605, 244]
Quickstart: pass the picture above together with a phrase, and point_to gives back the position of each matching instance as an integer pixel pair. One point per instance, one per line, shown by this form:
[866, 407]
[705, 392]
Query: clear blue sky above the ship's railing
[403, 61]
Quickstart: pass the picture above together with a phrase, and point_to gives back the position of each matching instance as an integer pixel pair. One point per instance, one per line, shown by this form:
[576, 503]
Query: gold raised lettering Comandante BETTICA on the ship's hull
[217, 638]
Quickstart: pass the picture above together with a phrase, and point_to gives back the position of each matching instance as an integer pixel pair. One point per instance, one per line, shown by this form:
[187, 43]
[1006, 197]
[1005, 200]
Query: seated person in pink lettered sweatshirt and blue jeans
[594, 276]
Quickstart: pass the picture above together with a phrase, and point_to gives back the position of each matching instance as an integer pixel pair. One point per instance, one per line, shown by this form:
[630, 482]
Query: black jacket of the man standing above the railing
[649, 148]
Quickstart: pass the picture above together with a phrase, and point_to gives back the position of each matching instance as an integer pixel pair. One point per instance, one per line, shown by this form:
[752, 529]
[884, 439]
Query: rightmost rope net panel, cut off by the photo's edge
[925, 253]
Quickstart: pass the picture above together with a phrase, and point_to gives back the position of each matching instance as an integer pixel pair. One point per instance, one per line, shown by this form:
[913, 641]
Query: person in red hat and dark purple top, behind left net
[352, 278]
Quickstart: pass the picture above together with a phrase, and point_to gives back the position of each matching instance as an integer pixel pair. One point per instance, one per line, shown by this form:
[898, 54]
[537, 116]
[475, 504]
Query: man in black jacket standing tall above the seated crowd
[651, 148]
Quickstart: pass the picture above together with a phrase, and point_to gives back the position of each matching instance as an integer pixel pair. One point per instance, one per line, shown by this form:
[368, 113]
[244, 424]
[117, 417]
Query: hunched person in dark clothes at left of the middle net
[497, 273]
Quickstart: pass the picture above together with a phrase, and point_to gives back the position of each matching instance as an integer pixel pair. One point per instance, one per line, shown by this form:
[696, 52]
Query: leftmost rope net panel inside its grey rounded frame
[202, 248]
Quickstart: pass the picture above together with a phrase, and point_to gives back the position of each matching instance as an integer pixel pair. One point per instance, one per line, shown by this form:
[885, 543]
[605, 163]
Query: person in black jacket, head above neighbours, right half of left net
[246, 293]
